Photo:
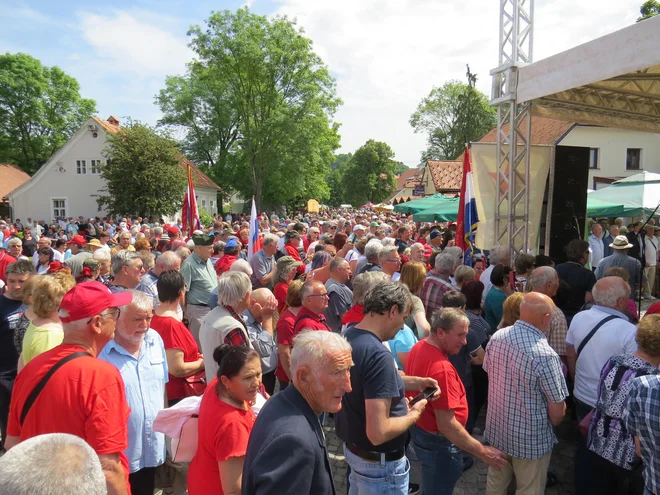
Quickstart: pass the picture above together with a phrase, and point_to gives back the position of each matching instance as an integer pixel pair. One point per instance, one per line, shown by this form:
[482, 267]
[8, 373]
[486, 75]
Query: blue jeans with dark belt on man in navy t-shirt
[377, 478]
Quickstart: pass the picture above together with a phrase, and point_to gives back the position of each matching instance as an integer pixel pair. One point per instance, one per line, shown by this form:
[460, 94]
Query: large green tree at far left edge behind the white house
[40, 108]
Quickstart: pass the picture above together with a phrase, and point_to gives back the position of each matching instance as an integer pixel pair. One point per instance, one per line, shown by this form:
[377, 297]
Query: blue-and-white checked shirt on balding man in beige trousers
[524, 375]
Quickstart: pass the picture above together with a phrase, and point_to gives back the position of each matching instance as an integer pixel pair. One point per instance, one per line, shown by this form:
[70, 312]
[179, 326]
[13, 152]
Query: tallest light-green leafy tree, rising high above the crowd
[284, 99]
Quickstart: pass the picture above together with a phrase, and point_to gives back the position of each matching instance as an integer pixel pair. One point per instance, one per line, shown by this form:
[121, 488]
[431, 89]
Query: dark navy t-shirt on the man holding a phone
[374, 375]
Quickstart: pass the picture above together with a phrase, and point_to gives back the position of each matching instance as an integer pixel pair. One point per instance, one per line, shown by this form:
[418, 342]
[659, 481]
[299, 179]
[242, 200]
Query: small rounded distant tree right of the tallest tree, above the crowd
[371, 174]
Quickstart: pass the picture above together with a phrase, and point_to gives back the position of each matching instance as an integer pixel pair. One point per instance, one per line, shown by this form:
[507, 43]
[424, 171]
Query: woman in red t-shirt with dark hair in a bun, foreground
[225, 422]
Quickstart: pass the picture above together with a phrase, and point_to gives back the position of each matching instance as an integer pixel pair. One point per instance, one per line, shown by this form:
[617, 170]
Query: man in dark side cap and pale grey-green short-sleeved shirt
[200, 279]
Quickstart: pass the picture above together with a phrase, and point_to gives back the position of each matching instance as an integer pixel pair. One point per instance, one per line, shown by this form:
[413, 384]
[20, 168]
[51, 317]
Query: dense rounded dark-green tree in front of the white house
[143, 173]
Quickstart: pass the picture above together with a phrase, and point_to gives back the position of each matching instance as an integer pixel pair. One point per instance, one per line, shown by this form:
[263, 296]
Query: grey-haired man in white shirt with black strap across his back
[614, 336]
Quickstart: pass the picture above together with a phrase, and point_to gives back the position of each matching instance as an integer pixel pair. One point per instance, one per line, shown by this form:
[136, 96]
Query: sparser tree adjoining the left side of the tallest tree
[200, 105]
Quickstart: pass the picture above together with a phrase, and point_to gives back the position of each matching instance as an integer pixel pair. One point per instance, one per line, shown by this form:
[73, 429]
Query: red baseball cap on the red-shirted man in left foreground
[89, 299]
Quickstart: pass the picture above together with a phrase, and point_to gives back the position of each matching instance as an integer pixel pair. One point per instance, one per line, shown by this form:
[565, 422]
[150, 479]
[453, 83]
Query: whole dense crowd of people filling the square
[367, 320]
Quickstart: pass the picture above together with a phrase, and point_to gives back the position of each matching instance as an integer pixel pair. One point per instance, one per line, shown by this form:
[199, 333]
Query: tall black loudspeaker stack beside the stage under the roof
[569, 199]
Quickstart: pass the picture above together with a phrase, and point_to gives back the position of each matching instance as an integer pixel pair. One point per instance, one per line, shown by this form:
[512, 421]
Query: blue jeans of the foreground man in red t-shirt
[442, 462]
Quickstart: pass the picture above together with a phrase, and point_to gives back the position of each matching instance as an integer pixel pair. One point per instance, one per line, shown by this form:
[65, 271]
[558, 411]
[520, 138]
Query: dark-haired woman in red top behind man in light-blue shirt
[183, 357]
